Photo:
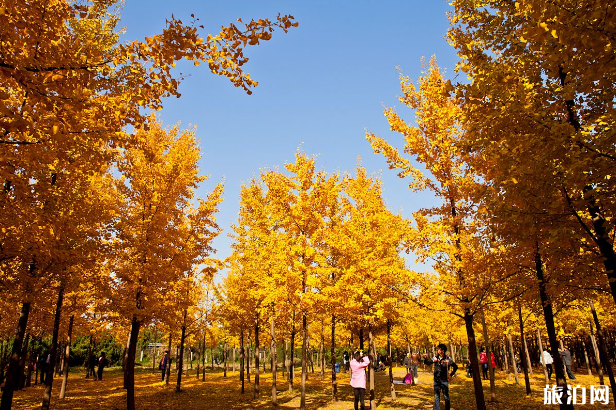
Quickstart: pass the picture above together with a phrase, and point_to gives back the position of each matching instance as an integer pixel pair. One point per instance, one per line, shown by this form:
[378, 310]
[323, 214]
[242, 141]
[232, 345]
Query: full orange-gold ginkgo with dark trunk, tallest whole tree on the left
[161, 237]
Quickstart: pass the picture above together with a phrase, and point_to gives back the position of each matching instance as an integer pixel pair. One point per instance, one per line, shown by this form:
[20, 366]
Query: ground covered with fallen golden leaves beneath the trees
[220, 393]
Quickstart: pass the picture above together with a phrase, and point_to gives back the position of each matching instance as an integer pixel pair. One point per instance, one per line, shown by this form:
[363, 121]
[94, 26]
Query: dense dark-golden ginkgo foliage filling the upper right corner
[539, 106]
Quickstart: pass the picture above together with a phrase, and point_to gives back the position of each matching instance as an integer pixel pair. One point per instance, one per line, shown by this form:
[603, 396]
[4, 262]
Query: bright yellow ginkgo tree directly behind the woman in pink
[369, 243]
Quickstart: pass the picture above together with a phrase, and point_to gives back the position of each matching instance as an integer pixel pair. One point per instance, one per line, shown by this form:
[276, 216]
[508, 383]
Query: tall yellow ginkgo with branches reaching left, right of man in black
[445, 233]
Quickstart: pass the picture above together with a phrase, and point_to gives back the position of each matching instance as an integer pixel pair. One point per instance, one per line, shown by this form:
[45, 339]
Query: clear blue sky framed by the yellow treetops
[320, 86]
